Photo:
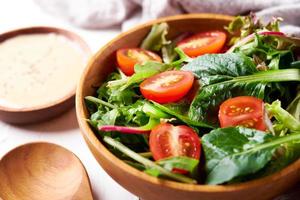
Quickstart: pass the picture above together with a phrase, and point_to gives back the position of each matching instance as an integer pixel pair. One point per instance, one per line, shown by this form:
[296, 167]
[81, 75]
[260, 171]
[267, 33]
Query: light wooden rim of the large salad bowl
[90, 136]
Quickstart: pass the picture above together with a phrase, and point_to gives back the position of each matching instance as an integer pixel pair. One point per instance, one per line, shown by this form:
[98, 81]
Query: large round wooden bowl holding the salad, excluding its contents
[139, 183]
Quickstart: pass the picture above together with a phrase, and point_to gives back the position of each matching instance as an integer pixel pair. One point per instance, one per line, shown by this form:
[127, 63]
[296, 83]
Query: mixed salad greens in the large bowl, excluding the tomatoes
[260, 63]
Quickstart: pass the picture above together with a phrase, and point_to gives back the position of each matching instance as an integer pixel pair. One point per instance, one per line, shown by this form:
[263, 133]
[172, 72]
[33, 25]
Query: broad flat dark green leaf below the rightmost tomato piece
[237, 151]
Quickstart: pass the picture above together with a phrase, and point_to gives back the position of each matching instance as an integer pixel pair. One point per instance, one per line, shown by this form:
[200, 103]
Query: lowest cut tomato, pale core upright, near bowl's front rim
[167, 140]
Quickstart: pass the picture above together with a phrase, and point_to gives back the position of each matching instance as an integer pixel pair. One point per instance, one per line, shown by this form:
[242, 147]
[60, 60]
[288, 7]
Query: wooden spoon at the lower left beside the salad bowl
[45, 171]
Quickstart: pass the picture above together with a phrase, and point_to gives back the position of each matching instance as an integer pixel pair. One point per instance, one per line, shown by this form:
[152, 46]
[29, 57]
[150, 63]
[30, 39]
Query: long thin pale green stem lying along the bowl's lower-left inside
[147, 163]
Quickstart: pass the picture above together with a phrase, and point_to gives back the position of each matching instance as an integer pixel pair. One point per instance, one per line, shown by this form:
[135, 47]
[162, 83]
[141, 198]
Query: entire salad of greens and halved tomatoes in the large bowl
[214, 107]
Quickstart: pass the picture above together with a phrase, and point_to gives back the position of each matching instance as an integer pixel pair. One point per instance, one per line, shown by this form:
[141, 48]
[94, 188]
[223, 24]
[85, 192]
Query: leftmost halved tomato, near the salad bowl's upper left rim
[128, 57]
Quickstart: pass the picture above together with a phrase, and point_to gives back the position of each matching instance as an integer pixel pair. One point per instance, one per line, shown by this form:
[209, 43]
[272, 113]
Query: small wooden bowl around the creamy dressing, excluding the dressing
[49, 110]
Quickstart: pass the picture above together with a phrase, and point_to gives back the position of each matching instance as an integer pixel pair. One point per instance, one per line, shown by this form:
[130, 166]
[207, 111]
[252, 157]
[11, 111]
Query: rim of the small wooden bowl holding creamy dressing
[71, 36]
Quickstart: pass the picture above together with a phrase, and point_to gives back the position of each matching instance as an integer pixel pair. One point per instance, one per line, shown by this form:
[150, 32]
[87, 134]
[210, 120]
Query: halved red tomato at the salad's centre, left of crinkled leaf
[168, 86]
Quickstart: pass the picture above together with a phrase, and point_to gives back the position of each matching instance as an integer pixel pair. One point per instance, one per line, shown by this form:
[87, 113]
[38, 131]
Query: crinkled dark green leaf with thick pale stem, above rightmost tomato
[222, 76]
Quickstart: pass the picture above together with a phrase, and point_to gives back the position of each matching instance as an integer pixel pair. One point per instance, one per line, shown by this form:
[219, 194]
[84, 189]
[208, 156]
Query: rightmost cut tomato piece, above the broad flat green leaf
[244, 111]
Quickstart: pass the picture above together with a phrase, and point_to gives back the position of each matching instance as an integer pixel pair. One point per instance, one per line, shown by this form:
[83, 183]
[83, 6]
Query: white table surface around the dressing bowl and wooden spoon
[64, 129]
